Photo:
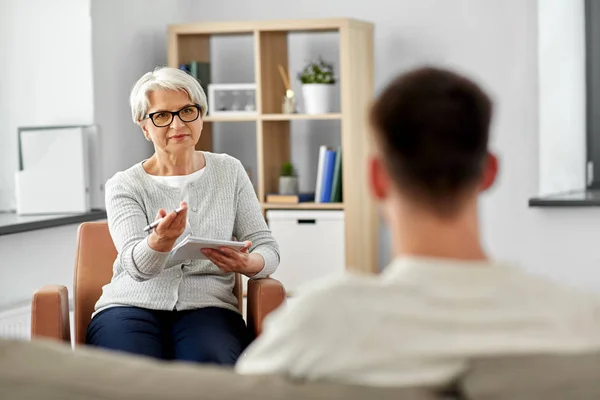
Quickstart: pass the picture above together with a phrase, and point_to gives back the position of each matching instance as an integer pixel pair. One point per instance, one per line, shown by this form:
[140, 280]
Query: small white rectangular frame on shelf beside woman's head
[232, 99]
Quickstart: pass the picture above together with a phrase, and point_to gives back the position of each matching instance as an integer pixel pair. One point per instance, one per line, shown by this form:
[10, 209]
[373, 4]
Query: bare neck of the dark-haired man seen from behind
[421, 233]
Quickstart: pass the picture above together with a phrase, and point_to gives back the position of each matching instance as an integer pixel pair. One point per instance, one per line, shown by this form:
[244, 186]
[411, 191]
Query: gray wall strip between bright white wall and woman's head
[128, 39]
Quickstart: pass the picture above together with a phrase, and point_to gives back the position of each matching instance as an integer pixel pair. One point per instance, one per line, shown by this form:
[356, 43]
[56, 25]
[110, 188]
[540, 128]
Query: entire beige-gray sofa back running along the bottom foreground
[49, 370]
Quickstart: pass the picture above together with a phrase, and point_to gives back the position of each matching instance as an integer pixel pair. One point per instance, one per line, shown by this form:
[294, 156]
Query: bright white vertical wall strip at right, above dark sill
[561, 88]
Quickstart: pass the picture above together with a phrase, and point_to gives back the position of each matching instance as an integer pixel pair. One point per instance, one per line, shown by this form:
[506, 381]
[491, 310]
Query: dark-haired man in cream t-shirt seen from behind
[442, 299]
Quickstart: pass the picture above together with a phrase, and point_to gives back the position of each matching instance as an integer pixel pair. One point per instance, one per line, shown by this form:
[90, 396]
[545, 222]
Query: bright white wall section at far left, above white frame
[46, 70]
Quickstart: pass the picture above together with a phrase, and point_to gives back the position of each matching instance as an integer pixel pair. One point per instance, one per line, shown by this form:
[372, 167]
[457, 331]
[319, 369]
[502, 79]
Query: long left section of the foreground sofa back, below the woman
[49, 370]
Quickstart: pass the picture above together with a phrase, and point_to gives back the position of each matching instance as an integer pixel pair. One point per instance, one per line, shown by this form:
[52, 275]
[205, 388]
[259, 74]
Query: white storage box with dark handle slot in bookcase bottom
[311, 245]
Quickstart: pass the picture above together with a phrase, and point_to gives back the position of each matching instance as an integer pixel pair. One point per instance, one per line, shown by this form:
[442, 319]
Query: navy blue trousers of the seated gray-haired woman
[210, 335]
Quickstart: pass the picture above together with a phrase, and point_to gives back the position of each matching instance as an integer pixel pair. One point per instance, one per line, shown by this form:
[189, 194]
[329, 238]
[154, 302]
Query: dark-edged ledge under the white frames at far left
[13, 223]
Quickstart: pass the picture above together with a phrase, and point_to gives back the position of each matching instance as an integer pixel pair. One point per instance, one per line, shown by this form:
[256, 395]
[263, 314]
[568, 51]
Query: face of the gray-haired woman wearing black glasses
[177, 135]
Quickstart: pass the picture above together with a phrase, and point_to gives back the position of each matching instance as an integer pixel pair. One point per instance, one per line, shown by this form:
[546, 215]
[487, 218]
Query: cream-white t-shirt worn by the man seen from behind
[417, 322]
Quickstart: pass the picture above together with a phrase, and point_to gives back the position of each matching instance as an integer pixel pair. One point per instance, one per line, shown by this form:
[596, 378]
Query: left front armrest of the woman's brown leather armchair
[50, 313]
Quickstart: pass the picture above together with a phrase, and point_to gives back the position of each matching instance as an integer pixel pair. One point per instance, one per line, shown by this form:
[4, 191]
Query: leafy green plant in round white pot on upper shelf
[318, 81]
